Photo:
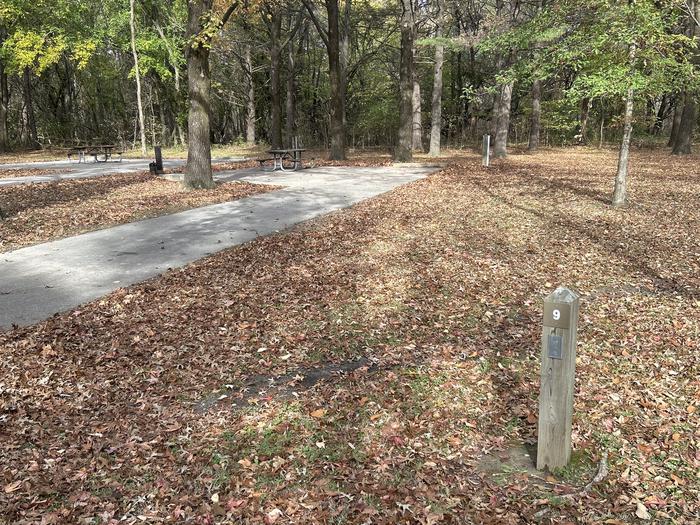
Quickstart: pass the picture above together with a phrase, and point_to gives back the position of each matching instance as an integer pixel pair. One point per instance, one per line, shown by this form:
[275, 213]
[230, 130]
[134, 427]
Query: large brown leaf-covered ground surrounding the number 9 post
[158, 404]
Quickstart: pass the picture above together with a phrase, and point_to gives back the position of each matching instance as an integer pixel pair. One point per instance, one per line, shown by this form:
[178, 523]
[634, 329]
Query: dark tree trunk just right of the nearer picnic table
[336, 77]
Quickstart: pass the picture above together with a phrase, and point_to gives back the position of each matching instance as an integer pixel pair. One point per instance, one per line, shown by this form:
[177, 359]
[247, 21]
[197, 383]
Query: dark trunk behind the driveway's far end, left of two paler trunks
[403, 147]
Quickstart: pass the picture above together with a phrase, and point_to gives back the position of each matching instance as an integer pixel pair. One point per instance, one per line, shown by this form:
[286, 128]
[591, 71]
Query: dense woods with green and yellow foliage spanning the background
[399, 74]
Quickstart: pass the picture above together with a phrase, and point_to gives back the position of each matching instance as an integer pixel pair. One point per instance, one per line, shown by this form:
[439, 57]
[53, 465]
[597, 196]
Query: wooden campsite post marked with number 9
[558, 362]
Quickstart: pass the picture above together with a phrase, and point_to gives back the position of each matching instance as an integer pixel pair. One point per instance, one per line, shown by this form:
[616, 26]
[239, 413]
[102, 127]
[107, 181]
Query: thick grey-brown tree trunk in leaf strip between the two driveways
[198, 173]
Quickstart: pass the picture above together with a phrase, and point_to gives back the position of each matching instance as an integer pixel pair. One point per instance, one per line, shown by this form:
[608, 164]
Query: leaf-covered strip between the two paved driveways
[36, 213]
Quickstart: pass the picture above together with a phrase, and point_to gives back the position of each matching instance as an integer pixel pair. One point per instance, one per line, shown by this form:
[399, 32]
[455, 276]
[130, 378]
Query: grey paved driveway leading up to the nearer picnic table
[41, 280]
